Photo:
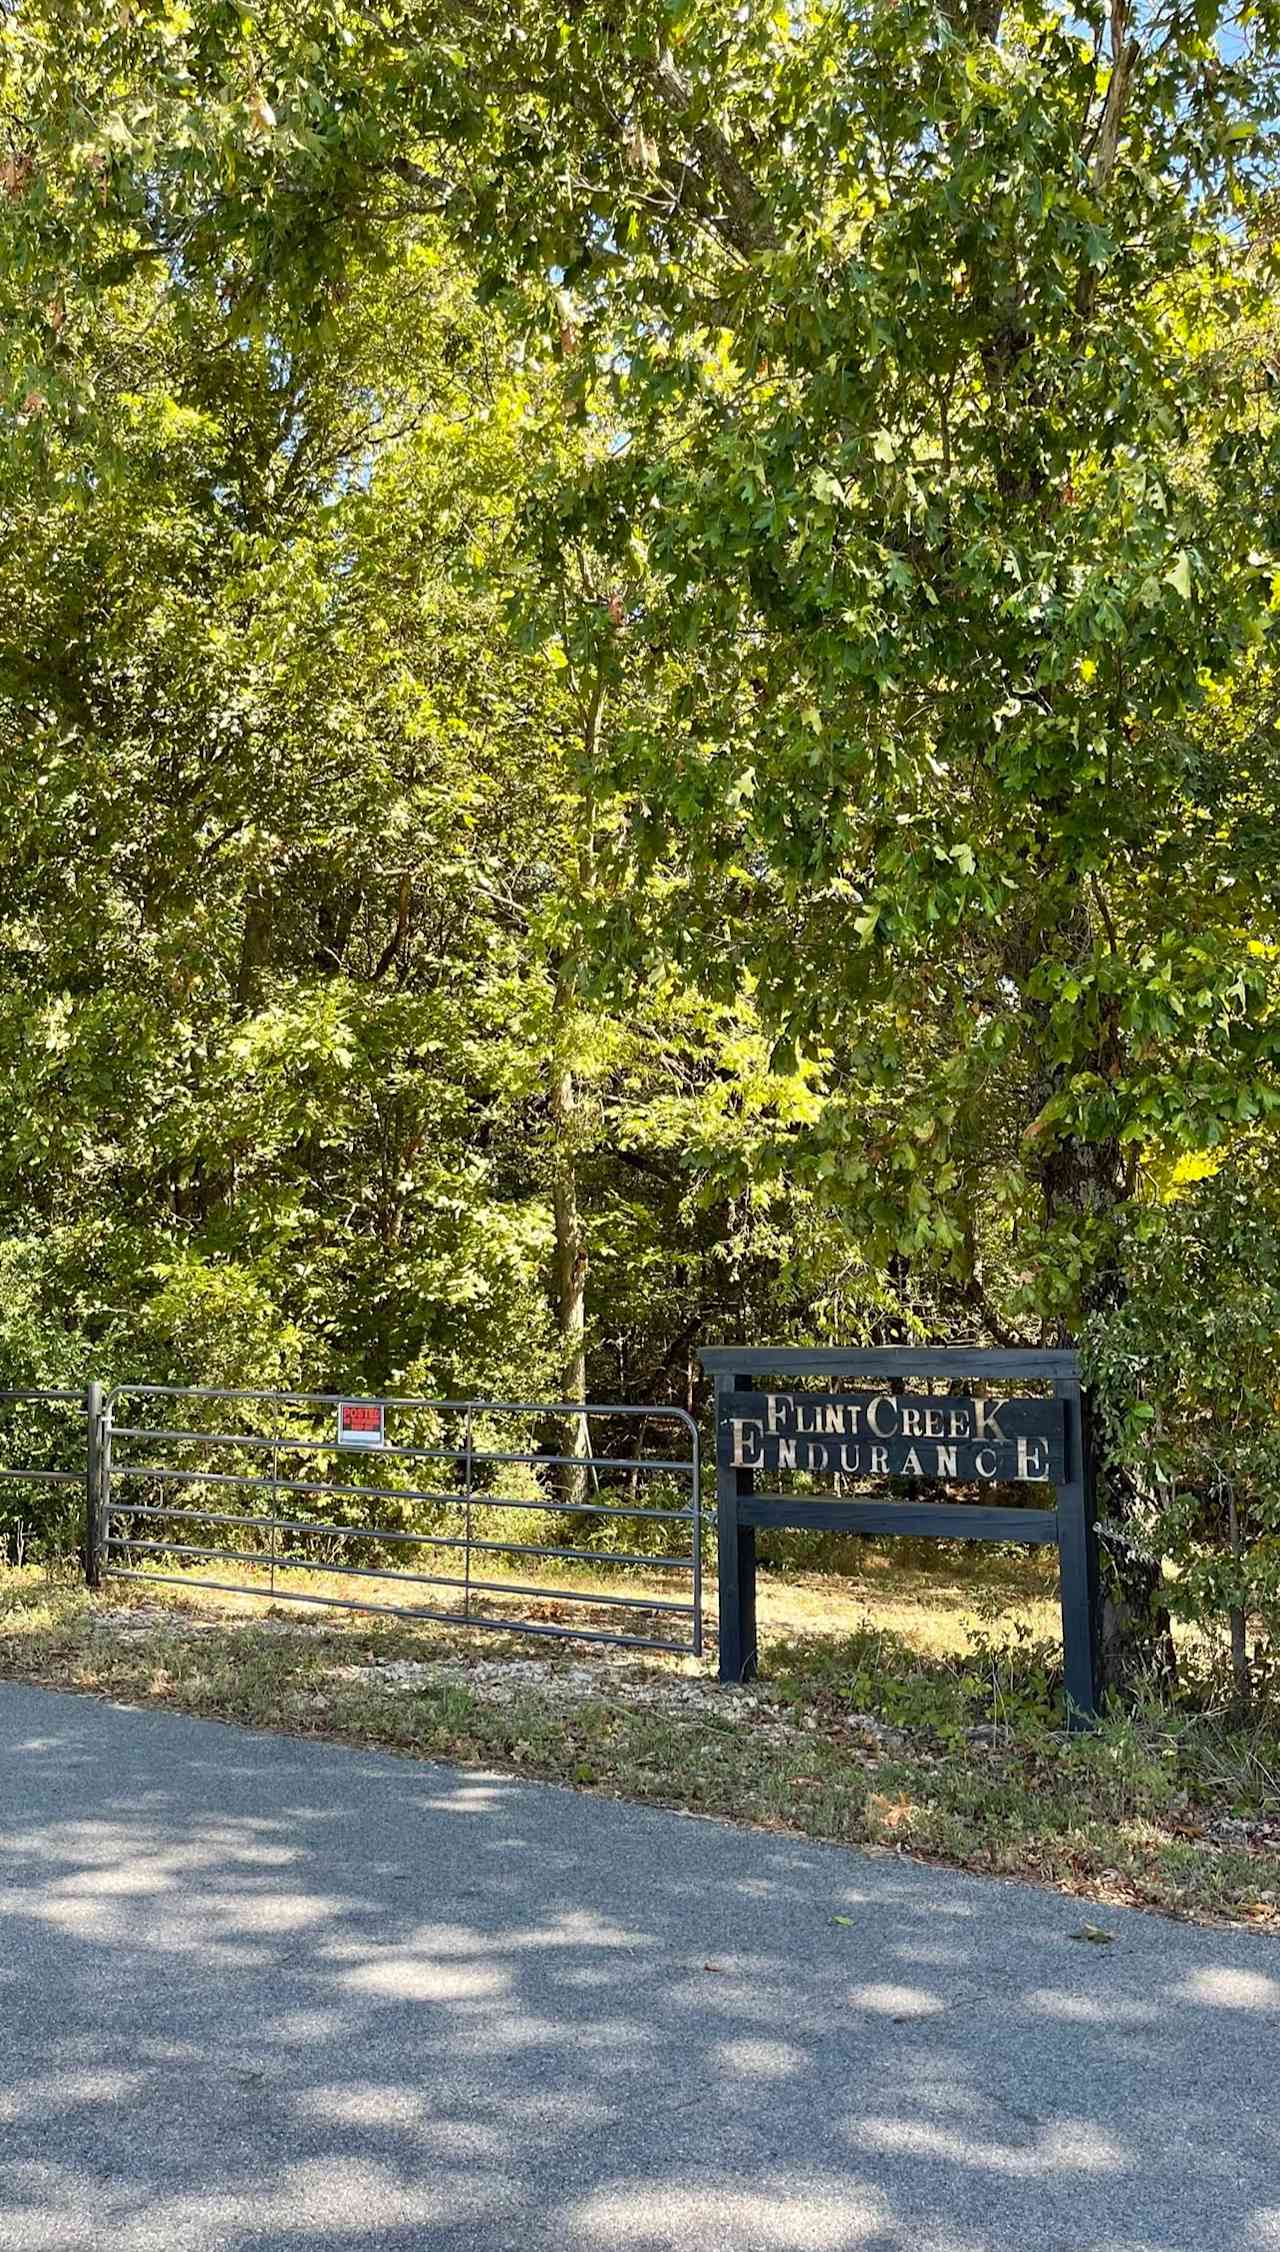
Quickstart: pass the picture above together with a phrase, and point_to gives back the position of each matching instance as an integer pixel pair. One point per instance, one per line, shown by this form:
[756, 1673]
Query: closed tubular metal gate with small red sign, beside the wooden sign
[263, 1494]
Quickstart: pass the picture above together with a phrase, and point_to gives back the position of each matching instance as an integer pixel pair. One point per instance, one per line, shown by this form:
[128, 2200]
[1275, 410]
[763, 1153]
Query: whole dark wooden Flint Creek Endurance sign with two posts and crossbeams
[968, 1429]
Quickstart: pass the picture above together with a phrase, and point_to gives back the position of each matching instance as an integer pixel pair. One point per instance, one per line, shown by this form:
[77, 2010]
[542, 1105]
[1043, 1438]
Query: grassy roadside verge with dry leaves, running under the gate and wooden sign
[909, 1708]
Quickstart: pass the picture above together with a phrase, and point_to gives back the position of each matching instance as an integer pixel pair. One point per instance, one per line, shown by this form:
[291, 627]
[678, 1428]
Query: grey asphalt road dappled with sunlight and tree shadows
[263, 1994]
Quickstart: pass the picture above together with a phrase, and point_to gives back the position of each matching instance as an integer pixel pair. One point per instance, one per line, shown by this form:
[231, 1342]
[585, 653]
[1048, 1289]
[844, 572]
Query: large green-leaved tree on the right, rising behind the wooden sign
[945, 463]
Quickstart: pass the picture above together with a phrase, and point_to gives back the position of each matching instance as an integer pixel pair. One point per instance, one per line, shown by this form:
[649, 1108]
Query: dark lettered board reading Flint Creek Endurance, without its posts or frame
[896, 1436]
